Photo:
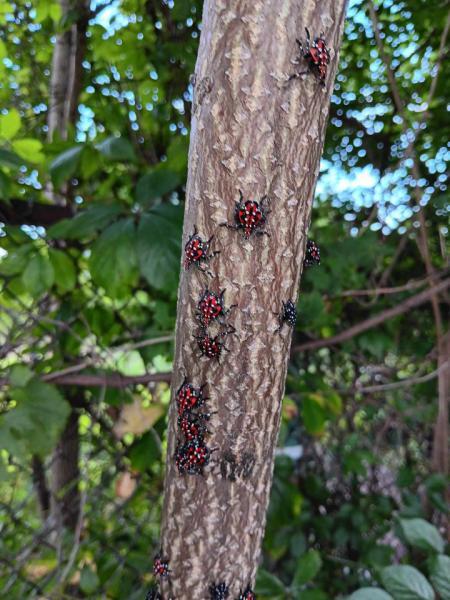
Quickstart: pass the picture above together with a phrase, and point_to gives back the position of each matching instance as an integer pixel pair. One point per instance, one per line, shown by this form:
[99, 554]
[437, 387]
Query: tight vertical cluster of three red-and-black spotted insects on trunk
[191, 454]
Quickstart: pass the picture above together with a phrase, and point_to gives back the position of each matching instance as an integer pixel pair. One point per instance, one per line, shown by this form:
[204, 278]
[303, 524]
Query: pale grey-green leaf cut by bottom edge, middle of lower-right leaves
[404, 582]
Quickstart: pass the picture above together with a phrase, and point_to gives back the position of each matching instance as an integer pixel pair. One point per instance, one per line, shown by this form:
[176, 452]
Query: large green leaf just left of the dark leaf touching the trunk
[113, 259]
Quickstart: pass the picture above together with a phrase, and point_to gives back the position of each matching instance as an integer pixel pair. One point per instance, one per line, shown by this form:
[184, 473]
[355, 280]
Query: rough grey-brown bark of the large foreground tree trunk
[251, 130]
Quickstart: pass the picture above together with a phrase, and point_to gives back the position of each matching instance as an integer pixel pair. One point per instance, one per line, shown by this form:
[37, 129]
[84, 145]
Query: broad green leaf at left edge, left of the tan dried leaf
[34, 424]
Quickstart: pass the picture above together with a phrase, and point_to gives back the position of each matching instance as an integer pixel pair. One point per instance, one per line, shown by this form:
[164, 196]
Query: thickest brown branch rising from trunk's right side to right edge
[401, 308]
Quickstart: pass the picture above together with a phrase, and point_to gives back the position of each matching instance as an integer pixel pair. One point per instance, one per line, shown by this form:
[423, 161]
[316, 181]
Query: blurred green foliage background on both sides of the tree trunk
[95, 107]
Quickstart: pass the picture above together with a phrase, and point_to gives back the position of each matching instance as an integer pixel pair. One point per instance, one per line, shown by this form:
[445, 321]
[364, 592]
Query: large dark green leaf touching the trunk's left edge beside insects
[159, 246]
